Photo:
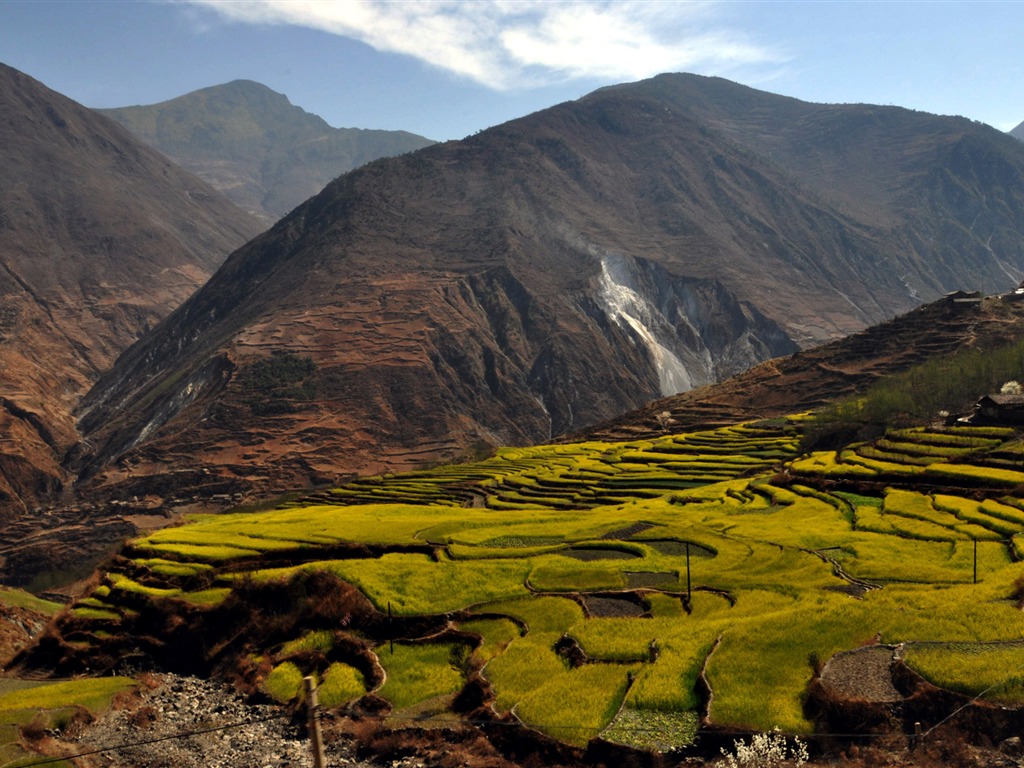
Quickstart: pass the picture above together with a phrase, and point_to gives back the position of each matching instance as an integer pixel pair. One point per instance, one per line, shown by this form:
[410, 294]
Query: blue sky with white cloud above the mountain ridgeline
[447, 69]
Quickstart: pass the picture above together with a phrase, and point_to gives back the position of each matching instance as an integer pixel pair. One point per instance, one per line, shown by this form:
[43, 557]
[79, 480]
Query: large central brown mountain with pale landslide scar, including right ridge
[549, 274]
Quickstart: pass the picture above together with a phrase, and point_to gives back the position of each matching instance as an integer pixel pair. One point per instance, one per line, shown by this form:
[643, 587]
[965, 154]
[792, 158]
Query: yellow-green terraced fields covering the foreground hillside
[631, 591]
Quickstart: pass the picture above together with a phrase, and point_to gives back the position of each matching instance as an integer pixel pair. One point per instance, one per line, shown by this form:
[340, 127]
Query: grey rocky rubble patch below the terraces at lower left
[188, 722]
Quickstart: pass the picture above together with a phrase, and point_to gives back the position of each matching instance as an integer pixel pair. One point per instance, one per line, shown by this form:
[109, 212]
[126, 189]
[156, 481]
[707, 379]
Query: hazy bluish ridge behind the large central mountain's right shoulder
[924, 182]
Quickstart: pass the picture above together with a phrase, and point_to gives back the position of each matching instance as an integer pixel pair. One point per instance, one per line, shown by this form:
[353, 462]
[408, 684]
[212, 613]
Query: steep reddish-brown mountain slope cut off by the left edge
[101, 238]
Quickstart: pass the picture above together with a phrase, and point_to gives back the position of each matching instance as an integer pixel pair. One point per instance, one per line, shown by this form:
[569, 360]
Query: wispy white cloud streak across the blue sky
[506, 45]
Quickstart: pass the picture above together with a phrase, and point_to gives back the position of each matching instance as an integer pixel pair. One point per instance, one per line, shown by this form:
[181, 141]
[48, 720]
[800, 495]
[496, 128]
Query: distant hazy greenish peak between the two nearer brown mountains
[255, 147]
